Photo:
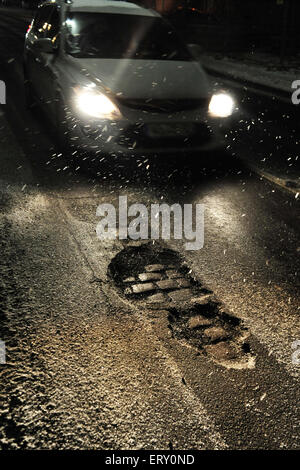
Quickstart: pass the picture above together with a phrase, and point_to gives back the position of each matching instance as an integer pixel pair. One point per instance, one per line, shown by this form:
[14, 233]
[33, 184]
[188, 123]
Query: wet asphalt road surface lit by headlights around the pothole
[90, 367]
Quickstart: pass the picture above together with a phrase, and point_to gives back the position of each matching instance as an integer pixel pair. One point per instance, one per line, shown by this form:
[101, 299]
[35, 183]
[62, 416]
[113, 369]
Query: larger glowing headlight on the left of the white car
[95, 104]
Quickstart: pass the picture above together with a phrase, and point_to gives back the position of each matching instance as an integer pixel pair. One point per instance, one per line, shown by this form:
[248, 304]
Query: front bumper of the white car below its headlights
[146, 136]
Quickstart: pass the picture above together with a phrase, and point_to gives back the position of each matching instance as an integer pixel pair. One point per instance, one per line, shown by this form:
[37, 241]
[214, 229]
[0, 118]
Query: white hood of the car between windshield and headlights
[142, 79]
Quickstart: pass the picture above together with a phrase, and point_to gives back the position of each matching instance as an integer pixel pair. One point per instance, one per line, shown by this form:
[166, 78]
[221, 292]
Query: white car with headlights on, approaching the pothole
[115, 79]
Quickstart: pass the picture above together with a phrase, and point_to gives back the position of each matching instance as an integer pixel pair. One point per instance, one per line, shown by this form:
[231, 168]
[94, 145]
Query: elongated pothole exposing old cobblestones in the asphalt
[157, 278]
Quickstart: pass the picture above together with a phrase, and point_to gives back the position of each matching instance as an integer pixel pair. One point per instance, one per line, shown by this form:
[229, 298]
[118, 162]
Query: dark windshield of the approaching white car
[119, 36]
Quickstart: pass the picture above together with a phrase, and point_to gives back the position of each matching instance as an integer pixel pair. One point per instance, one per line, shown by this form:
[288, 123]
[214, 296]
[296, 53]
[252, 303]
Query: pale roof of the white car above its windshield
[110, 6]
